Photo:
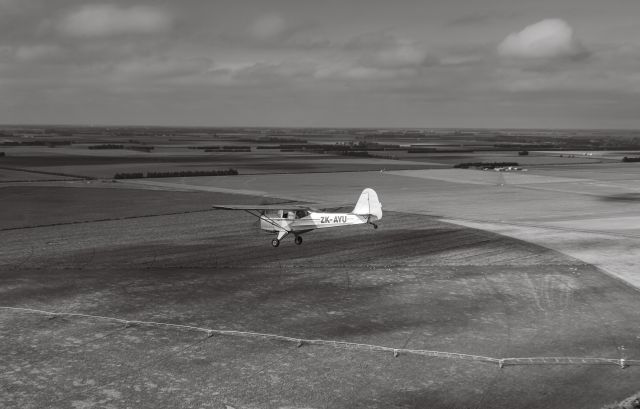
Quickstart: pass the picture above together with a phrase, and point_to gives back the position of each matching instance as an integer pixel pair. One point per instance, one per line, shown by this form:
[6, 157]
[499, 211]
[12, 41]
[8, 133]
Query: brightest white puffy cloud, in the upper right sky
[547, 39]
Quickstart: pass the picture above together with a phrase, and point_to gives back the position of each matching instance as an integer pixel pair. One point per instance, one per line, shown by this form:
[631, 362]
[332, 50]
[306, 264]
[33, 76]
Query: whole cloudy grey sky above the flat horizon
[329, 63]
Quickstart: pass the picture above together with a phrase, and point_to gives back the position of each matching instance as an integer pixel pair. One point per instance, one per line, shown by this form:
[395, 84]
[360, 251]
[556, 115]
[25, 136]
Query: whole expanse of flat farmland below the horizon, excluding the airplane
[491, 265]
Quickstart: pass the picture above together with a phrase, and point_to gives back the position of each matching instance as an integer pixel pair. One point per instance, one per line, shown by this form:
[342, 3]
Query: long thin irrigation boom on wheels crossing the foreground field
[210, 332]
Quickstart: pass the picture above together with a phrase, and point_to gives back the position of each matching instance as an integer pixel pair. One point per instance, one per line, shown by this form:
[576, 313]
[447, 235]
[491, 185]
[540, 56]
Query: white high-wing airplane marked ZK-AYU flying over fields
[284, 219]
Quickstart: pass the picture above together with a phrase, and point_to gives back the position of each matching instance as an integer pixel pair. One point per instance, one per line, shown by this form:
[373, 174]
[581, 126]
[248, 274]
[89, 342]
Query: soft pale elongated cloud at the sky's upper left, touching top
[103, 20]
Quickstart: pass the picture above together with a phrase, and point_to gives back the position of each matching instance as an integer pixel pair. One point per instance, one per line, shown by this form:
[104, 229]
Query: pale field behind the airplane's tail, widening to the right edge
[523, 204]
